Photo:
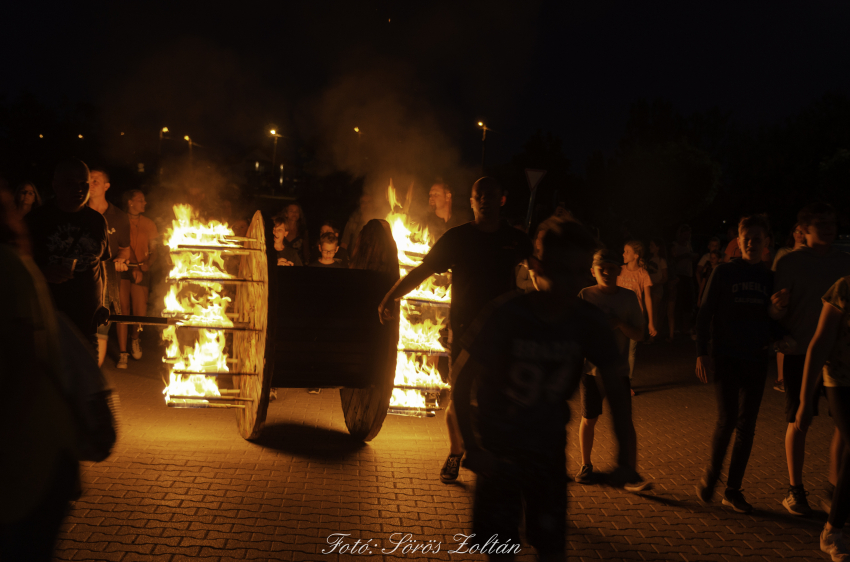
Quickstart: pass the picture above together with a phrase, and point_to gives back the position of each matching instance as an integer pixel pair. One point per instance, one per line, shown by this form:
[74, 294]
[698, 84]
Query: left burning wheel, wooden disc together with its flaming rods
[197, 302]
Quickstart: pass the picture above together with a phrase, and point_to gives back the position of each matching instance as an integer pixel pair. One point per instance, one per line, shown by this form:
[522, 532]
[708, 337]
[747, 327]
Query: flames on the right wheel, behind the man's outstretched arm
[416, 332]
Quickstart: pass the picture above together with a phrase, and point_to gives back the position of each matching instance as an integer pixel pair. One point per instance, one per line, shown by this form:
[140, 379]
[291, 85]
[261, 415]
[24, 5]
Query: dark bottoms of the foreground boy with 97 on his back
[540, 485]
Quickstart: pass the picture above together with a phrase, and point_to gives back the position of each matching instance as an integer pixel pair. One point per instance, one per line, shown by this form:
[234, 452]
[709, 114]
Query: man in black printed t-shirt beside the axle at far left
[68, 232]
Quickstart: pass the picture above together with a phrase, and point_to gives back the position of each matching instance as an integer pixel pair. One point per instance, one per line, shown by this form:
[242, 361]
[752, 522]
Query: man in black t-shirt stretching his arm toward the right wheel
[482, 255]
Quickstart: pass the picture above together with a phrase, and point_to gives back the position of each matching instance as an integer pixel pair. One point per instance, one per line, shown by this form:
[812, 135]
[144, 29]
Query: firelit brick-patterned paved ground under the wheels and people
[182, 484]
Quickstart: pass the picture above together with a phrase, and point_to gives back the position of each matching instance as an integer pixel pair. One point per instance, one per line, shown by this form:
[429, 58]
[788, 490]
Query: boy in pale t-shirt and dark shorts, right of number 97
[625, 318]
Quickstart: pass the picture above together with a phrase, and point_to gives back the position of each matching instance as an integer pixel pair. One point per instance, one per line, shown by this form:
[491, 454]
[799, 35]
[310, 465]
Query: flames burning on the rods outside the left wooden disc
[197, 304]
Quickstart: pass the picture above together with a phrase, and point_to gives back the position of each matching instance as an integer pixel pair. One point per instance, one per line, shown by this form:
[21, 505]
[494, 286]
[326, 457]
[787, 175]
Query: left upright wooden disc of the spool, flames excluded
[251, 305]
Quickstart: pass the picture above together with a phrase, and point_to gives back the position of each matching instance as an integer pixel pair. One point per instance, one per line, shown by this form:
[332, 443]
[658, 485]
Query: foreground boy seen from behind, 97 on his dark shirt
[526, 354]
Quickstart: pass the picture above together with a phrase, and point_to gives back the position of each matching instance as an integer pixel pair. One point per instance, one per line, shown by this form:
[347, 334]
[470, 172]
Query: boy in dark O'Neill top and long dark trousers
[734, 319]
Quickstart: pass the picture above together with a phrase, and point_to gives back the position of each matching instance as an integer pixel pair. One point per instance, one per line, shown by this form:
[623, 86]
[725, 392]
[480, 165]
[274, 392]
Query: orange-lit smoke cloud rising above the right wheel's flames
[400, 134]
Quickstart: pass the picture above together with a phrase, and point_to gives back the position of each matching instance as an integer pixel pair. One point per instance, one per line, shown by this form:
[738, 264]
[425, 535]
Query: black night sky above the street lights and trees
[224, 75]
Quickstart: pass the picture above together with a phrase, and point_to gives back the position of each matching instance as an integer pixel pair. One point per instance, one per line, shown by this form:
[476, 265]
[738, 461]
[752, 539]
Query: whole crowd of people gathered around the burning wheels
[532, 318]
